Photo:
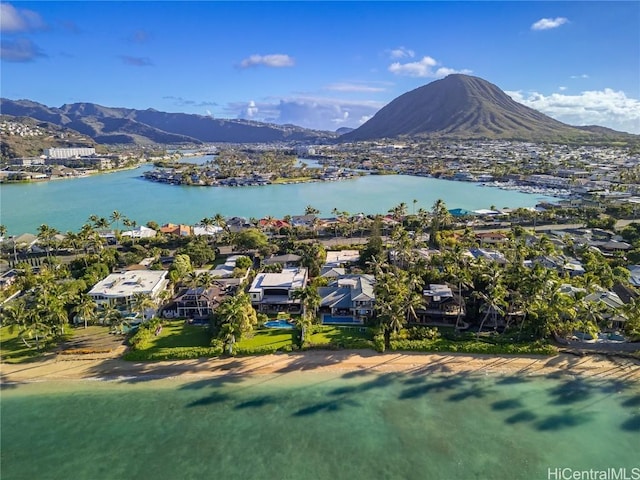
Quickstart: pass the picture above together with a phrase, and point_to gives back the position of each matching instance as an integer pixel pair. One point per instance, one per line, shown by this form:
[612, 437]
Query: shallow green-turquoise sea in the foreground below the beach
[357, 425]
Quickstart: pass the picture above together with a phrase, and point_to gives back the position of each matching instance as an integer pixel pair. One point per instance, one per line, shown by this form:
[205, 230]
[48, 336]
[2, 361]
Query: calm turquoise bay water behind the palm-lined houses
[66, 204]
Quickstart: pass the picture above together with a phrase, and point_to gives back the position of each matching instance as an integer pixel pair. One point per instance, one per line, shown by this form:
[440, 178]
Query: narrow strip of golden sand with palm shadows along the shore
[76, 367]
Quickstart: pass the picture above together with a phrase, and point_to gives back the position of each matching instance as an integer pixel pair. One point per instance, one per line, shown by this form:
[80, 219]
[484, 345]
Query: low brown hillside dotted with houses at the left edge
[27, 137]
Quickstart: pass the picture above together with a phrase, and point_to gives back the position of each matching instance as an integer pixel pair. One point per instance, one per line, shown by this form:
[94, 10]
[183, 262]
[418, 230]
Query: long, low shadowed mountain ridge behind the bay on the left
[130, 126]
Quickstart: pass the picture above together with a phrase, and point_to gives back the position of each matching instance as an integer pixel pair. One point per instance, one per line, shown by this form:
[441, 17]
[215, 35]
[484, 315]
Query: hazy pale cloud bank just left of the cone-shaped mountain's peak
[309, 112]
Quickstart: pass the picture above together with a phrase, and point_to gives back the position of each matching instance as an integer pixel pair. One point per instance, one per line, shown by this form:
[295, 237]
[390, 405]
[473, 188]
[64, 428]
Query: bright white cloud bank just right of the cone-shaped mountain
[607, 108]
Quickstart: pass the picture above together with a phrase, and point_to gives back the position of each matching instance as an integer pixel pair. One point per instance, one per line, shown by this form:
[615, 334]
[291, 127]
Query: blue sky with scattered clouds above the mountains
[322, 65]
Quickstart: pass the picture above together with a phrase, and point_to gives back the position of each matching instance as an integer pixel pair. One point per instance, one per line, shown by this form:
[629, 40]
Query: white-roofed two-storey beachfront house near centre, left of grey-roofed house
[272, 292]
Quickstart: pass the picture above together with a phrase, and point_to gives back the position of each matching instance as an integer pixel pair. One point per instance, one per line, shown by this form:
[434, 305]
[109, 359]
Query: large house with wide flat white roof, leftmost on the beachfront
[120, 289]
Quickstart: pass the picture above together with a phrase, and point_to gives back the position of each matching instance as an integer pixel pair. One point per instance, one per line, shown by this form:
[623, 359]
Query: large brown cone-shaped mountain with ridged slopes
[462, 106]
